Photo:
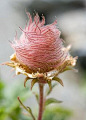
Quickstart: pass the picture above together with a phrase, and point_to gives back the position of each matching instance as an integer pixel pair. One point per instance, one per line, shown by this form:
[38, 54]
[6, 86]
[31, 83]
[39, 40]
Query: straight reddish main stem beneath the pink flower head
[41, 86]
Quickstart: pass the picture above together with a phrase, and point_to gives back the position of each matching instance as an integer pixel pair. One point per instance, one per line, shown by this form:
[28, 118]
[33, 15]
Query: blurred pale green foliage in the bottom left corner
[9, 104]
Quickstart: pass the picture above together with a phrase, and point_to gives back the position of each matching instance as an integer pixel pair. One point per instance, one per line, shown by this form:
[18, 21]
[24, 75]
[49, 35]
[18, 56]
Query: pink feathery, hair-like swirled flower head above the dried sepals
[40, 46]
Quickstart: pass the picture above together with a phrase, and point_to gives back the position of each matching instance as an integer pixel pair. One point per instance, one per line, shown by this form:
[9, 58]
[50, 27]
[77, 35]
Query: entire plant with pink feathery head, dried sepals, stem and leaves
[41, 57]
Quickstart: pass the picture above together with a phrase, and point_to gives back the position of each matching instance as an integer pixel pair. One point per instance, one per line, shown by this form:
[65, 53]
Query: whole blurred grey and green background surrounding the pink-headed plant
[71, 16]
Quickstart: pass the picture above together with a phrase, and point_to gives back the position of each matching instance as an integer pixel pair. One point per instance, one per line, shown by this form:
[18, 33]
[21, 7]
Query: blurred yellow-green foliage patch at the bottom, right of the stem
[55, 113]
